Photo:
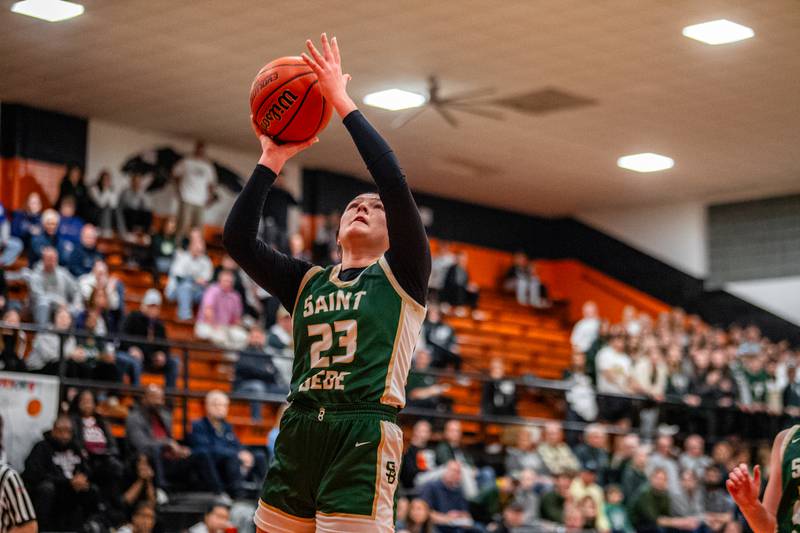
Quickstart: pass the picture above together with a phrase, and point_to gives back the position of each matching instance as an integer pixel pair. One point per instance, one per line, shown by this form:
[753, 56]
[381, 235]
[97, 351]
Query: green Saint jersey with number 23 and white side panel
[353, 340]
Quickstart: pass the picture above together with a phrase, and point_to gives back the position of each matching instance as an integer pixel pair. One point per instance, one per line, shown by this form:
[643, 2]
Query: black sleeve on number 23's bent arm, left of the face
[278, 273]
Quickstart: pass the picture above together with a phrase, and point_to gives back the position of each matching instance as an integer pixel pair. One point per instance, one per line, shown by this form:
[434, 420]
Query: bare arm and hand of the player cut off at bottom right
[744, 489]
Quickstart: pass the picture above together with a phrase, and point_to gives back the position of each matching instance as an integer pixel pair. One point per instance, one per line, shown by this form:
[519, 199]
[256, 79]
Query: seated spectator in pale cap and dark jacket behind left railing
[154, 355]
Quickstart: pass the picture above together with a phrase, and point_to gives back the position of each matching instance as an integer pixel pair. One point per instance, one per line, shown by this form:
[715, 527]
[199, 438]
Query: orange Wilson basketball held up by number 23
[286, 102]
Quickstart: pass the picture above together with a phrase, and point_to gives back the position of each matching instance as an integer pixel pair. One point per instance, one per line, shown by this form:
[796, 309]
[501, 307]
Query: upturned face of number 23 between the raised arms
[363, 223]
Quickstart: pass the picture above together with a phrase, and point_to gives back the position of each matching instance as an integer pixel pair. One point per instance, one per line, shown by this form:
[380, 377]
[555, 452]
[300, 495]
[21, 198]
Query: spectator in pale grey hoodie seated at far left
[51, 286]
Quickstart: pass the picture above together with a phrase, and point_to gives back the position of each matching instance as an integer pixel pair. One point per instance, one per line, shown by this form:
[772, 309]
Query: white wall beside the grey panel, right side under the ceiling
[677, 235]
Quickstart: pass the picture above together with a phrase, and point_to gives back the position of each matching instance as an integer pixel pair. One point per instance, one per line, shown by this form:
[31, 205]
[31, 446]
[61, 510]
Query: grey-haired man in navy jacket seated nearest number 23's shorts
[212, 437]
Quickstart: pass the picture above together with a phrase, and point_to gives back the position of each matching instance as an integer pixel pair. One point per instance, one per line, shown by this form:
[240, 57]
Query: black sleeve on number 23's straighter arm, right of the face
[409, 253]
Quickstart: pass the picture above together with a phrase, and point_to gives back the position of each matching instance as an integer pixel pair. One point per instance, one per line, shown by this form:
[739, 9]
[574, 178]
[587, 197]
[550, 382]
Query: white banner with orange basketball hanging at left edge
[28, 405]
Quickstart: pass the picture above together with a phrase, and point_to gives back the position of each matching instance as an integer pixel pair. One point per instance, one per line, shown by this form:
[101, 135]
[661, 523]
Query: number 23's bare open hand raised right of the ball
[327, 65]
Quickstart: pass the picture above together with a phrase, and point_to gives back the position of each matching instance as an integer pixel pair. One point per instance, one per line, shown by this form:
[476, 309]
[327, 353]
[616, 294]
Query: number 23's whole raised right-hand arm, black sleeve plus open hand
[409, 253]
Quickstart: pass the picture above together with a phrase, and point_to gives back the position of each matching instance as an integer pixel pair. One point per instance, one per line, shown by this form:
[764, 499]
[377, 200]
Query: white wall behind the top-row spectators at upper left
[110, 145]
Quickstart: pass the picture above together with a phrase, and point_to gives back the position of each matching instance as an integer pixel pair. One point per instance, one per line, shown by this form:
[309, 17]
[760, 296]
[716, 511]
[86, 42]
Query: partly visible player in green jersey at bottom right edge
[779, 511]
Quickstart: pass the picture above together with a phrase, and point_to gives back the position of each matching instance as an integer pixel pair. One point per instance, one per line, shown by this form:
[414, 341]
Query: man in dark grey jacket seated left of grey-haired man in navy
[149, 430]
